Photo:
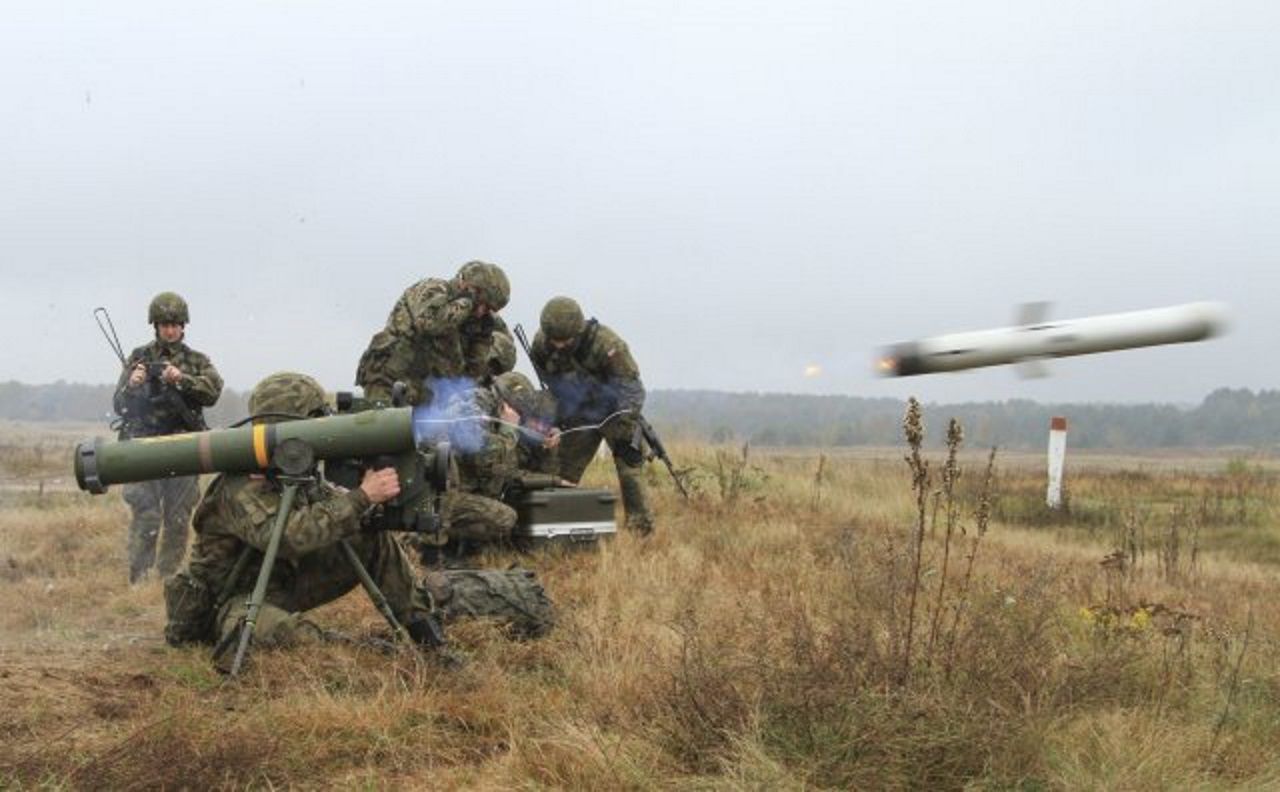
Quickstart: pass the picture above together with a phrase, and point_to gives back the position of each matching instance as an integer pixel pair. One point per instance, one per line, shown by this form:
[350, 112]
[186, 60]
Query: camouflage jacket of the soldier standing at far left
[159, 409]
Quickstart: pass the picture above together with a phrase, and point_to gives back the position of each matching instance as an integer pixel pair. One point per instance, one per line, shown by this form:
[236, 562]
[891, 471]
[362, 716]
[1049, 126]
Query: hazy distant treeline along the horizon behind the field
[1226, 418]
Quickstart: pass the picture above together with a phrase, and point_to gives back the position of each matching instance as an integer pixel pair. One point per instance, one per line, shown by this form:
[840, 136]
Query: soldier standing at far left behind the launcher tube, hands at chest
[163, 391]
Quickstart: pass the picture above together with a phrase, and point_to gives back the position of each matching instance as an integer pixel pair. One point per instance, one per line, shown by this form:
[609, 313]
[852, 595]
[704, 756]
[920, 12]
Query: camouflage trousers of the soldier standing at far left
[162, 515]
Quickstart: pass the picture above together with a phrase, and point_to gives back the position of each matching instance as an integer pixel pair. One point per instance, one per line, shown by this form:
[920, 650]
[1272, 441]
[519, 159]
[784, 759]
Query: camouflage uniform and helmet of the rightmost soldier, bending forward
[593, 379]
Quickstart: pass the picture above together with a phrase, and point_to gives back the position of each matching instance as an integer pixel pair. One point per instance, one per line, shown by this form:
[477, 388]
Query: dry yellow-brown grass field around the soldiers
[807, 621]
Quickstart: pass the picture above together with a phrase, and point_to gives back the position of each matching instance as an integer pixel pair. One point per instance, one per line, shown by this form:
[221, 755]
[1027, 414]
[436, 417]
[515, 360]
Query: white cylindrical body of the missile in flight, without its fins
[1045, 340]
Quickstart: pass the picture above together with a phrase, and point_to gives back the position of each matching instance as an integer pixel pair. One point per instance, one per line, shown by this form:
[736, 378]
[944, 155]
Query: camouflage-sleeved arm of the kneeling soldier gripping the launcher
[310, 527]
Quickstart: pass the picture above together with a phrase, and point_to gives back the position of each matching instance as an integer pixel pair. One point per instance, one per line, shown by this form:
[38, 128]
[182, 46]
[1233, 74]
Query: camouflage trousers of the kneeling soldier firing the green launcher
[322, 578]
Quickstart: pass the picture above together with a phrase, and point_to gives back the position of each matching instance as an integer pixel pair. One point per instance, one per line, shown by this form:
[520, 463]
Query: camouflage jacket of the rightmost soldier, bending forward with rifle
[592, 381]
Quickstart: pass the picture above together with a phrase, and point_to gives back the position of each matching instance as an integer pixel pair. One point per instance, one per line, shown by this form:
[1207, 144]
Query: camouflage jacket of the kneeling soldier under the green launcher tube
[240, 511]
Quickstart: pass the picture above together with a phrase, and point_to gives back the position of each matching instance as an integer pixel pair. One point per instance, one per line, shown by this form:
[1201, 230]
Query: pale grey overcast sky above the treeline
[740, 189]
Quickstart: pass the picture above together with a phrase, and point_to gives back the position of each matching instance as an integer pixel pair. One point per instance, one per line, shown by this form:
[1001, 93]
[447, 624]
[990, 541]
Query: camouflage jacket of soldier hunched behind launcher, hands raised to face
[431, 335]
